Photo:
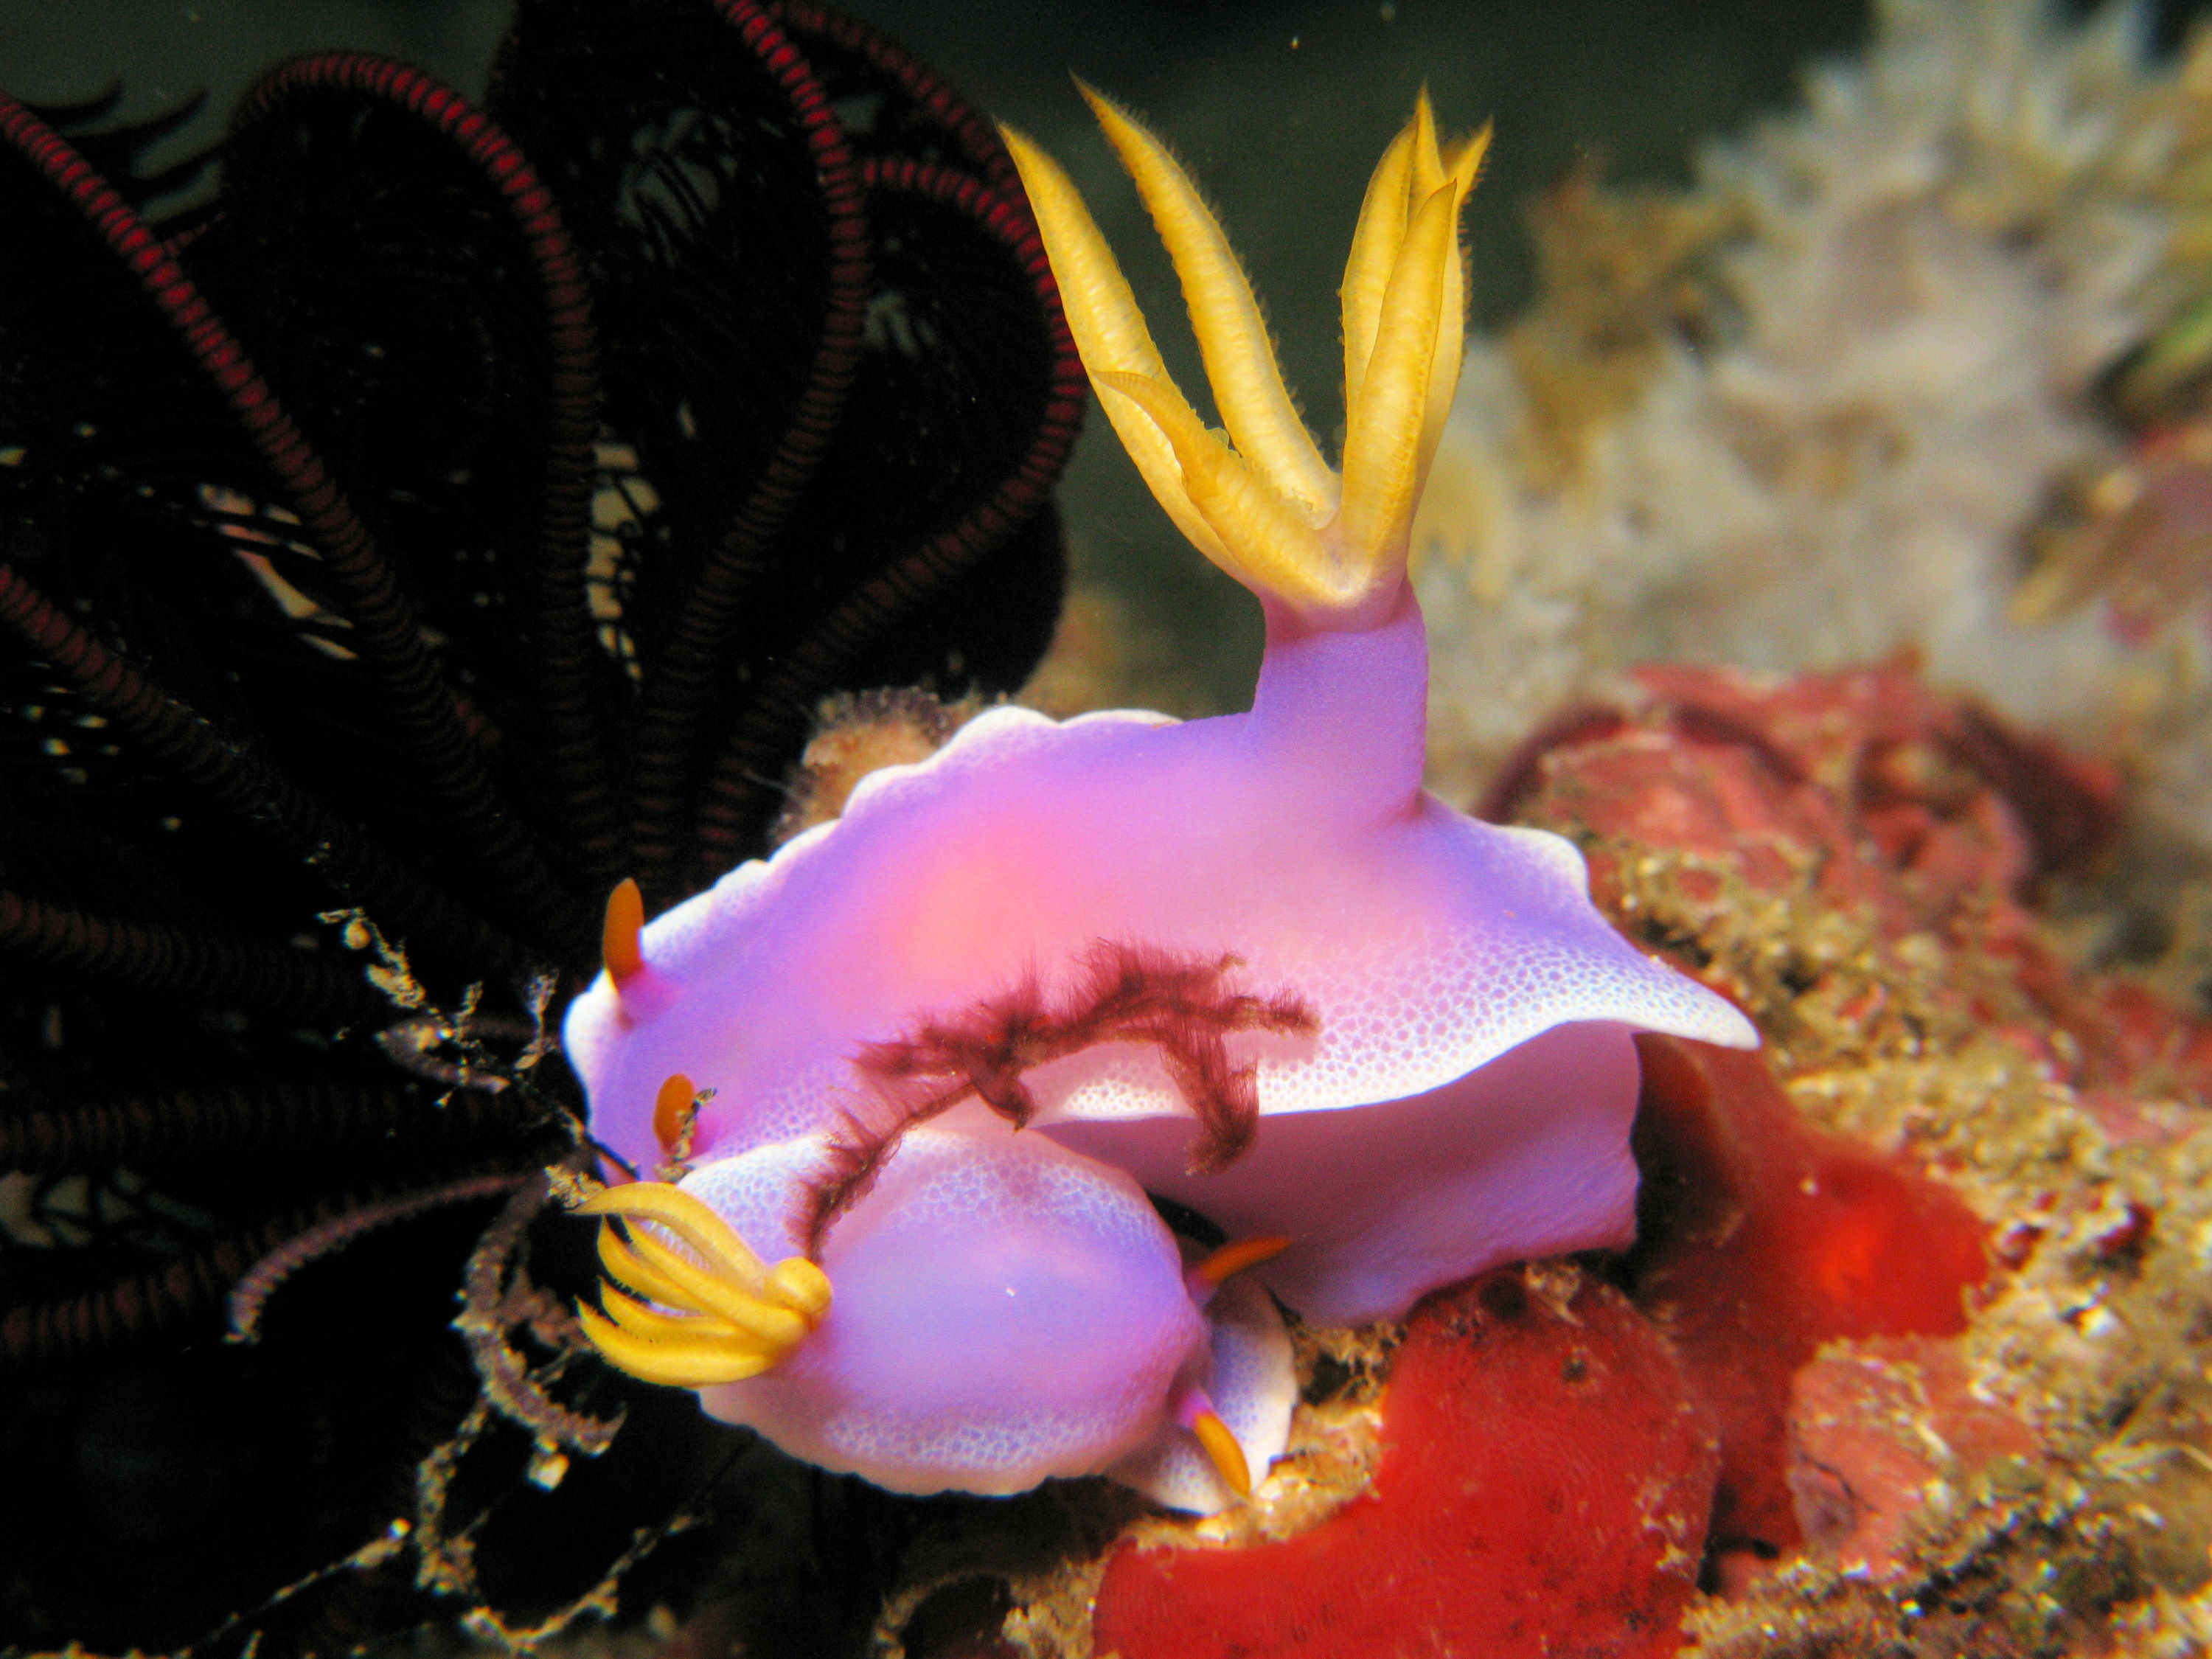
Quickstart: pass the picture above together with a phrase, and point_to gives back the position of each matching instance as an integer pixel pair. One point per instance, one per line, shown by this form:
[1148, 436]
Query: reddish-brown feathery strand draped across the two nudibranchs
[1120, 994]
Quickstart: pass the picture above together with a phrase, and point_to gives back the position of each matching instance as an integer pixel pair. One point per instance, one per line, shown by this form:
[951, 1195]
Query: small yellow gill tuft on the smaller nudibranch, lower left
[691, 1322]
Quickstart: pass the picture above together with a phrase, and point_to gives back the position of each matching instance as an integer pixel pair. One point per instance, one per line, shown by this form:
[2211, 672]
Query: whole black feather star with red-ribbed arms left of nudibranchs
[452, 514]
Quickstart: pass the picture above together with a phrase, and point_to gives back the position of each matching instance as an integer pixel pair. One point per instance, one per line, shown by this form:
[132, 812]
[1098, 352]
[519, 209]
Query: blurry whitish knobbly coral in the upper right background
[1941, 251]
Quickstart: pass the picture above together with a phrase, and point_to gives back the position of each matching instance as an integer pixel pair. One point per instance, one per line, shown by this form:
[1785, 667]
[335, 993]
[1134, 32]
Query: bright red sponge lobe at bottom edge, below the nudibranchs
[1543, 1490]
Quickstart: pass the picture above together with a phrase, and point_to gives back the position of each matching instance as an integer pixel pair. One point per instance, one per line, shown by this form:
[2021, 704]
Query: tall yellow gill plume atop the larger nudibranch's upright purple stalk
[1260, 501]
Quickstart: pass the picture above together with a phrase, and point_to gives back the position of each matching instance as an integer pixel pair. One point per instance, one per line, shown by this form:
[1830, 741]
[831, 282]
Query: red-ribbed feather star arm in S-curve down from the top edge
[676, 696]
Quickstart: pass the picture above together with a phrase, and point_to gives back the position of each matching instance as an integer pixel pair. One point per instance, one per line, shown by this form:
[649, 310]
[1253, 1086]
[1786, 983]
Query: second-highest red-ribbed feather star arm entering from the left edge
[255, 793]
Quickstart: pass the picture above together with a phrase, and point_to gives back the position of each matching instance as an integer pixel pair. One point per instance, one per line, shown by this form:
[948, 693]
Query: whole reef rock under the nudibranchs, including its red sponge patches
[1912, 1348]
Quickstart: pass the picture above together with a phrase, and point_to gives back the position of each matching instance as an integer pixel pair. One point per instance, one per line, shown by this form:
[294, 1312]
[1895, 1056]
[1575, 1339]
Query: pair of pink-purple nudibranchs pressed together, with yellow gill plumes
[935, 1056]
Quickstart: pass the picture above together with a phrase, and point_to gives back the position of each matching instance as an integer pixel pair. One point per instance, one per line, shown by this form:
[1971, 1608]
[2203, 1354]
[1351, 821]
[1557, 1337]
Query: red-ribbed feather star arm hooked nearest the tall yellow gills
[786, 693]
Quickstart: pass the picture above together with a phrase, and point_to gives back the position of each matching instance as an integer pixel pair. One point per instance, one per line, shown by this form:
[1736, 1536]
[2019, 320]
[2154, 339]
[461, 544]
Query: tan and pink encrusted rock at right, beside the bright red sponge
[2034, 1483]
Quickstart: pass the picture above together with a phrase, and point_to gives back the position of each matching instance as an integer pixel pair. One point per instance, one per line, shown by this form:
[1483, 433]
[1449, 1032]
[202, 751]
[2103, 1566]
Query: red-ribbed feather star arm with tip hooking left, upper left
[563, 643]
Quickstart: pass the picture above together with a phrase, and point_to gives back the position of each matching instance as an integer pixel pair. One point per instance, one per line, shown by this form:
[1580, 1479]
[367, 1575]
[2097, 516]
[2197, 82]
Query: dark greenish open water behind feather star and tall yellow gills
[1280, 109]
